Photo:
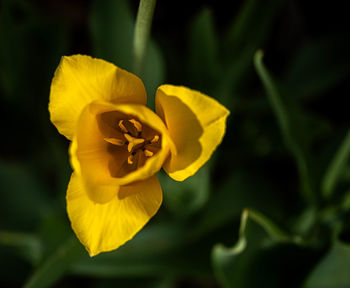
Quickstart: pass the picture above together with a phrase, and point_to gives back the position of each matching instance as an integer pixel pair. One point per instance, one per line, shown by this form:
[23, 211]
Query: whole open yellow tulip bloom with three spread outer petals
[118, 144]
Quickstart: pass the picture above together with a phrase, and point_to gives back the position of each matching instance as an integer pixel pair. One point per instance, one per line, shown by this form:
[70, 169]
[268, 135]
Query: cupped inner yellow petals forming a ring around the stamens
[94, 158]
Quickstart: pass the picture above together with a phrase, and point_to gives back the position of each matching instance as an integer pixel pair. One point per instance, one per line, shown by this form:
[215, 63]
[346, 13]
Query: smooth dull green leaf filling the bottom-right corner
[333, 270]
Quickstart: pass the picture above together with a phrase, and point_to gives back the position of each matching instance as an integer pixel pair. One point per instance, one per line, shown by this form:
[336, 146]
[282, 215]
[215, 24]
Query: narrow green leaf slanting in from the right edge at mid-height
[336, 167]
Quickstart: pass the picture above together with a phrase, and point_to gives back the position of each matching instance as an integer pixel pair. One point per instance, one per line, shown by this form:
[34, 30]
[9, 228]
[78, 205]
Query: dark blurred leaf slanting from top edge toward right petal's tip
[248, 32]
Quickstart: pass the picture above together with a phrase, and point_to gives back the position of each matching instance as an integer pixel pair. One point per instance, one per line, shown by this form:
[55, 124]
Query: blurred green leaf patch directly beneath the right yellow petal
[187, 197]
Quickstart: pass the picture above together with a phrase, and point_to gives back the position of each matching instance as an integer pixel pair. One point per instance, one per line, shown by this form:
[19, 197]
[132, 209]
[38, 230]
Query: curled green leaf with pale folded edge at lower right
[229, 262]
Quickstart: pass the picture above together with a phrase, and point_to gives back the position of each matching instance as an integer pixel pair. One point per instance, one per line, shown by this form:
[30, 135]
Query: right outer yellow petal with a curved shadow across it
[196, 124]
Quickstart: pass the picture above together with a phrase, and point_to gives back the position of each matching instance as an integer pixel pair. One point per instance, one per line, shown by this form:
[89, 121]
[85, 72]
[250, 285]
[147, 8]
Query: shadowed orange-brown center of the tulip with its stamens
[140, 142]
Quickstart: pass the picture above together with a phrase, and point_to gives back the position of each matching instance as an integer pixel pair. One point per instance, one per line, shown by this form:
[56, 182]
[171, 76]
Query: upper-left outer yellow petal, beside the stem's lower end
[79, 80]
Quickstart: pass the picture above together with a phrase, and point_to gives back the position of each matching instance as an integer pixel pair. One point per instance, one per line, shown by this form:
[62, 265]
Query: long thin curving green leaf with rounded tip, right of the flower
[289, 128]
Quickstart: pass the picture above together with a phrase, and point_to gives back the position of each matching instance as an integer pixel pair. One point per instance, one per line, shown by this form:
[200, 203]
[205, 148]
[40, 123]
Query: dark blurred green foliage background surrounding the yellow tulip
[285, 156]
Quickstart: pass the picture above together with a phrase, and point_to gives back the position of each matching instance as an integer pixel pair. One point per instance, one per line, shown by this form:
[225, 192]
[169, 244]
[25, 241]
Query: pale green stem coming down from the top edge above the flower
[142, 33]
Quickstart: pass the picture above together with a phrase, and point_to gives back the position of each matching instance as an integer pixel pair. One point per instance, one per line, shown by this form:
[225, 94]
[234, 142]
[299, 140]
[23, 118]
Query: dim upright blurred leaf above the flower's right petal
[204, 63]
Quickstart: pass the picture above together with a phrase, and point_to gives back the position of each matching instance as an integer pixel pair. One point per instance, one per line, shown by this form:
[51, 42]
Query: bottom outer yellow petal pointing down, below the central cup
[105, 227]
